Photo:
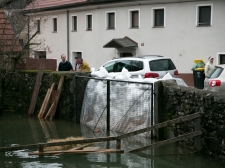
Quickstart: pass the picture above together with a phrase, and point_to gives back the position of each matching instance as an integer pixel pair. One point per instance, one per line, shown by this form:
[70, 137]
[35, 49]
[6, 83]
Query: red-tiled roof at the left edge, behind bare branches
[8, 41]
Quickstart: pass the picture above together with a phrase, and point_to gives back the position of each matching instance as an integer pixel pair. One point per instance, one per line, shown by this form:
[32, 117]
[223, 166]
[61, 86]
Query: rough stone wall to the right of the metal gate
[176, 101]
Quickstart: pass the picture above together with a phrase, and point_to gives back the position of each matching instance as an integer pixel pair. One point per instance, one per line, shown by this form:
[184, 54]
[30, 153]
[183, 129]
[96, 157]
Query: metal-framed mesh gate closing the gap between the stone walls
[121, 106]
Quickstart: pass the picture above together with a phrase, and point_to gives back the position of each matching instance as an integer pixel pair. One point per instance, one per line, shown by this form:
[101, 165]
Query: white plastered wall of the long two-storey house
[180, 39]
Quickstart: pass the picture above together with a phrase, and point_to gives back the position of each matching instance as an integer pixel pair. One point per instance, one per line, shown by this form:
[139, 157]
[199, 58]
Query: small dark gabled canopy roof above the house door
[125, 42]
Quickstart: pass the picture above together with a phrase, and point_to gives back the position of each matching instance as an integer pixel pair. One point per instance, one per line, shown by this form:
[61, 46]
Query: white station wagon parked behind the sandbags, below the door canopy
[148, 66]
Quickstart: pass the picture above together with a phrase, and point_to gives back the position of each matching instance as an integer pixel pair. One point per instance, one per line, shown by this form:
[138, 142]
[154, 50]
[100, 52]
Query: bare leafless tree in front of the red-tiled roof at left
[14, 33]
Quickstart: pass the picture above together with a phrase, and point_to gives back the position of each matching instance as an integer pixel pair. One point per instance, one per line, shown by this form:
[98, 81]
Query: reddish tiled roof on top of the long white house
[43, 4]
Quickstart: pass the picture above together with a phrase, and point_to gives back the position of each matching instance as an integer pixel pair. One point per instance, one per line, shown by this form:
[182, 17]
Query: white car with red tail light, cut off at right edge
[216, 81]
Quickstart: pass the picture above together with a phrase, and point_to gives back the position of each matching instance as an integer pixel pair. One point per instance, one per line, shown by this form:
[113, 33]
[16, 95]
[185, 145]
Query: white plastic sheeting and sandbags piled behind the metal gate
[130, 103]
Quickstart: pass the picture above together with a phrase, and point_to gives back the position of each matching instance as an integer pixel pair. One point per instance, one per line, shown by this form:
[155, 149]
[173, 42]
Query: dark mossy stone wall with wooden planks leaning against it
[17, 88]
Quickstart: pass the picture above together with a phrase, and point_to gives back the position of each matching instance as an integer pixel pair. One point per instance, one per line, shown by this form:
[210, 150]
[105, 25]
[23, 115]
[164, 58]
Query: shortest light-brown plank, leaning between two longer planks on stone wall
[46, 102]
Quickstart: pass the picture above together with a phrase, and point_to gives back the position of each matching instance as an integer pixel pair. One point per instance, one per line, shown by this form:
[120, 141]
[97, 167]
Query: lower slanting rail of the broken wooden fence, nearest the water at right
[168, 141]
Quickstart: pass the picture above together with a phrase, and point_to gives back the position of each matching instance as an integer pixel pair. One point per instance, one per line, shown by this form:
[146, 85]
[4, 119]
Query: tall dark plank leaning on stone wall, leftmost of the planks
[36, 89]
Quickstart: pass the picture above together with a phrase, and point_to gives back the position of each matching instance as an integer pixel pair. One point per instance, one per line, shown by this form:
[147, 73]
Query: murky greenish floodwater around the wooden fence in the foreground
[16, 129]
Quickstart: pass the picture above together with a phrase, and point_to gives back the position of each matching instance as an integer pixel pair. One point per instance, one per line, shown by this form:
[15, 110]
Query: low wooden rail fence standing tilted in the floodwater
[196, 133]
